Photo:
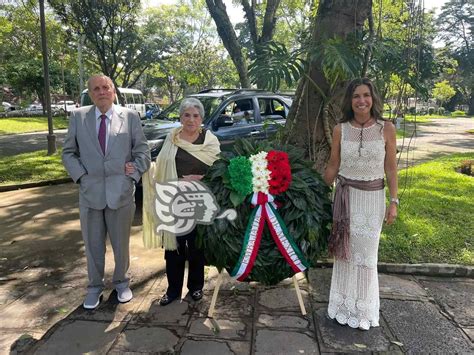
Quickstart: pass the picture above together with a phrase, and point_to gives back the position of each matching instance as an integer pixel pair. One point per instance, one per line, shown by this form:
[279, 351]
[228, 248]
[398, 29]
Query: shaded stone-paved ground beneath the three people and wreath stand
[43, 278]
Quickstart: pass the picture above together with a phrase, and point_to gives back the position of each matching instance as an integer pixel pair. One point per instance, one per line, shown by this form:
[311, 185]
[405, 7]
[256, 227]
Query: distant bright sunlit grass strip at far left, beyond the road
[14, 125]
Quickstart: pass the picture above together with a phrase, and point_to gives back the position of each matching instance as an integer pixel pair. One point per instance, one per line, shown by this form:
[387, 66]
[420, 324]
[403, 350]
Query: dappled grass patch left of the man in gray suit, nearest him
[31, 167]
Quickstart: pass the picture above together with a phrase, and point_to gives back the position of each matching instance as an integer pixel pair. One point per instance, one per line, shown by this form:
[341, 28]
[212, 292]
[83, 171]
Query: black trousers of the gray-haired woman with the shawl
[175, 264]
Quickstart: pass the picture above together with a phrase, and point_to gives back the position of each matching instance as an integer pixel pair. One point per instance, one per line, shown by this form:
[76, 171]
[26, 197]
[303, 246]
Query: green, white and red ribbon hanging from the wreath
[266, 213]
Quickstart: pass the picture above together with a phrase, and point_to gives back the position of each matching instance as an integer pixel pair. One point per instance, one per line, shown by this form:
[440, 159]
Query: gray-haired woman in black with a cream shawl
[187, 153]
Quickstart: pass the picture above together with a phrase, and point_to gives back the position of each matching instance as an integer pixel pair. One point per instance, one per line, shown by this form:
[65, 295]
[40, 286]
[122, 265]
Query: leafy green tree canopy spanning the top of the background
[172, 50]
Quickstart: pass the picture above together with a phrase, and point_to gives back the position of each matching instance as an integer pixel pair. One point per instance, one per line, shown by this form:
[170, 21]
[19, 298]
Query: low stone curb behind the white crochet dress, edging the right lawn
[426, 269]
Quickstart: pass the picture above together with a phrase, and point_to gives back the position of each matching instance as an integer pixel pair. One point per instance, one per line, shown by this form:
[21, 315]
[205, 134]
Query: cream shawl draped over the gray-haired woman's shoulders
[164, 169]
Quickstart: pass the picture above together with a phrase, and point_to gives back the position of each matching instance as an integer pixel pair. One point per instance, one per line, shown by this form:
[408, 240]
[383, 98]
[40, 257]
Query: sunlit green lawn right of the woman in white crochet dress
[436, 215]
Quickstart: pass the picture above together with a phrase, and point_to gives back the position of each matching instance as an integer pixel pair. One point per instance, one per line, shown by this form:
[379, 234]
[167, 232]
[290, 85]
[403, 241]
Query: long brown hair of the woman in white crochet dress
[377, 107]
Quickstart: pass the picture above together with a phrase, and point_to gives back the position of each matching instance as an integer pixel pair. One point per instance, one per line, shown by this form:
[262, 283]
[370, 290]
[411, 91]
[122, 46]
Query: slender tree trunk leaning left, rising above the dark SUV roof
[227, 34]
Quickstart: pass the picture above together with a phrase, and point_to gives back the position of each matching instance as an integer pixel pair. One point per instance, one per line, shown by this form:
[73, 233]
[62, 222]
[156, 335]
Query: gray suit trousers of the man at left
[95, 225]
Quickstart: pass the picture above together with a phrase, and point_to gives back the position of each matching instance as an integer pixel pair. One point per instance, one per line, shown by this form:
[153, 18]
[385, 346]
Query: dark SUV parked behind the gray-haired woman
[229, 114]
